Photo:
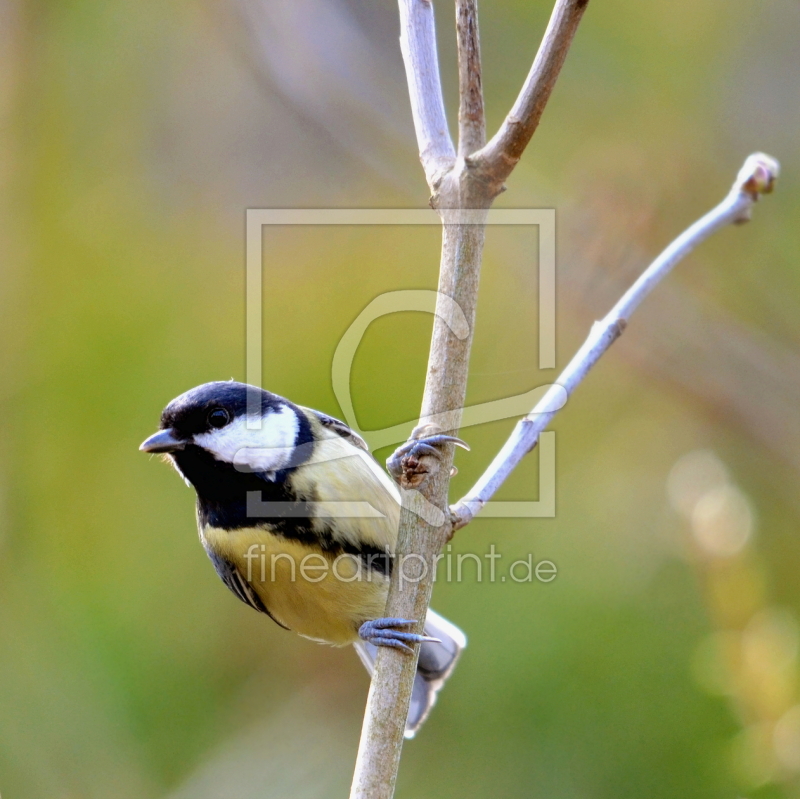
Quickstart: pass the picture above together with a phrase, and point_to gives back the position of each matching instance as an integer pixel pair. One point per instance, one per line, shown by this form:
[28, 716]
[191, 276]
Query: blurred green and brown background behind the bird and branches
[661, 662]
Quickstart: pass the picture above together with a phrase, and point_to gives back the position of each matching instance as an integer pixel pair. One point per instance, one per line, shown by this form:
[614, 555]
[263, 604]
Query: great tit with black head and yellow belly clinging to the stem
[300, 522]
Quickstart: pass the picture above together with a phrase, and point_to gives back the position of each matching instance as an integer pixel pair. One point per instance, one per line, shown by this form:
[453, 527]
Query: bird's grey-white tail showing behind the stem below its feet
[436, 663]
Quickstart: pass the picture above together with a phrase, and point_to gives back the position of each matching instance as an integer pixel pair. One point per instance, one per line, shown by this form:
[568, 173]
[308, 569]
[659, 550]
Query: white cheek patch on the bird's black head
[266, 449]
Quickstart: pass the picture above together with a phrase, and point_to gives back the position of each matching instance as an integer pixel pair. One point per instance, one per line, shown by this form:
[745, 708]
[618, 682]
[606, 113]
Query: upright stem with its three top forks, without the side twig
[469, 182]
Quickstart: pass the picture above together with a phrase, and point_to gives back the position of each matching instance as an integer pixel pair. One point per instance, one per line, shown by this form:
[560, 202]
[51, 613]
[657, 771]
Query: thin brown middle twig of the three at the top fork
[471, 119]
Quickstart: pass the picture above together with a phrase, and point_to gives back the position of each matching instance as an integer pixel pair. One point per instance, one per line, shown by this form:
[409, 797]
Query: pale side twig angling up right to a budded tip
[757, 176]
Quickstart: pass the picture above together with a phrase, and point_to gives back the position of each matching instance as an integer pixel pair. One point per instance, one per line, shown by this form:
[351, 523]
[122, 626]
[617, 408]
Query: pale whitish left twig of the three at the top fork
[418, 46]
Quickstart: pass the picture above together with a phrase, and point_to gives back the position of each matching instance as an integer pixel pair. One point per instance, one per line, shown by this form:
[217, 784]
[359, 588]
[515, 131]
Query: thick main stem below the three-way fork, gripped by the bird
[420, 537]
